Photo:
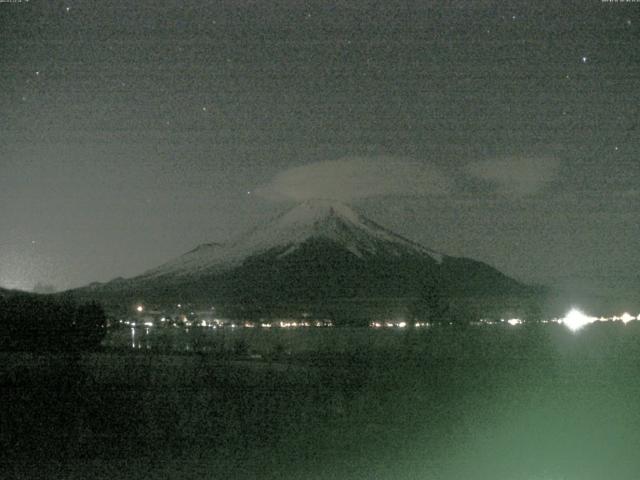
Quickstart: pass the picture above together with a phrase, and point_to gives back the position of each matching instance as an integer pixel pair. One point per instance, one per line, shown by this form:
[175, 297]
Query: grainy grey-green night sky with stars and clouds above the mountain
[504, 131]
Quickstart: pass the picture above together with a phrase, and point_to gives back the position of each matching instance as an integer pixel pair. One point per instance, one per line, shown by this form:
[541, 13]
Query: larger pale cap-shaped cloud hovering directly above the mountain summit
[356, 177]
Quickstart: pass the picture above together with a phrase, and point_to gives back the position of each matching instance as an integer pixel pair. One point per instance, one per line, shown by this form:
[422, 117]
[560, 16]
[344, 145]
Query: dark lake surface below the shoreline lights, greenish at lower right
[479, 403]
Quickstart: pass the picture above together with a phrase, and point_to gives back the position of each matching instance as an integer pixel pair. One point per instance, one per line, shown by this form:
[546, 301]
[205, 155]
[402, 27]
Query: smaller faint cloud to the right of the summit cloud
[516, 176]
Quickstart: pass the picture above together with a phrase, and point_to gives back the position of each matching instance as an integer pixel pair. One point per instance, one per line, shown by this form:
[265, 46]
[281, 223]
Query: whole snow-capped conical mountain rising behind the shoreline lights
[320, 257]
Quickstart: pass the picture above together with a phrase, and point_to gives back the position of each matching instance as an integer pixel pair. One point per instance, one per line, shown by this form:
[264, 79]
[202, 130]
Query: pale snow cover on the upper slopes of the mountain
[316, 219]
